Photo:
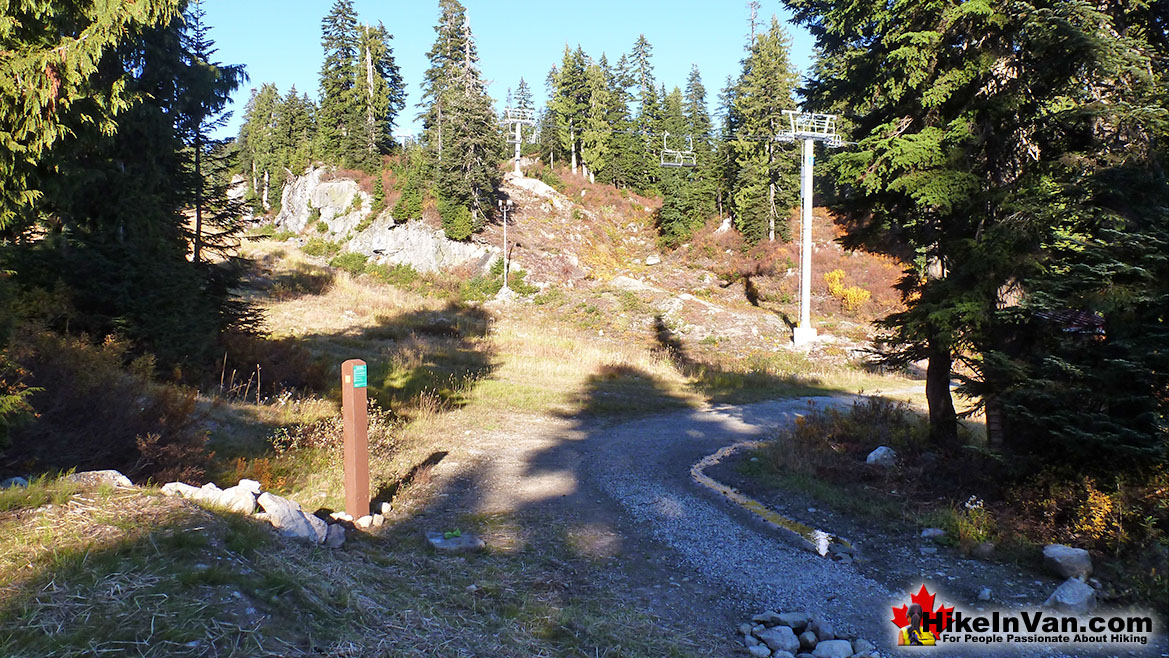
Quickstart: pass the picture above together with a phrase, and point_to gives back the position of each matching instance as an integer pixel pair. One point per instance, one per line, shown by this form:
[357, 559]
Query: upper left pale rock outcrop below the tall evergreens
[341, 203]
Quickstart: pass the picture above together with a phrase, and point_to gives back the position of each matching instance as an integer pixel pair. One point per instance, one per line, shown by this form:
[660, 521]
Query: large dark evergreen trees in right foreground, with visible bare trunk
[1002, 156]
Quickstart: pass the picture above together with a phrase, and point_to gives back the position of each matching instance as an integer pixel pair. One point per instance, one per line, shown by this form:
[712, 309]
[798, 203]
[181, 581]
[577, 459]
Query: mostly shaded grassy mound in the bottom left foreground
[134, 574]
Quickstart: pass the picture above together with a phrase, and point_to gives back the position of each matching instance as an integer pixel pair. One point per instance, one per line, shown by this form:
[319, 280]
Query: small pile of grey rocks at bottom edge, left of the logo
[800, 635]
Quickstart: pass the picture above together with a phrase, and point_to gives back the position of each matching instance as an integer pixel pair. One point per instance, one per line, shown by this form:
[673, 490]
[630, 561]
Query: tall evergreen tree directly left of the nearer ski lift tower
[765, 184]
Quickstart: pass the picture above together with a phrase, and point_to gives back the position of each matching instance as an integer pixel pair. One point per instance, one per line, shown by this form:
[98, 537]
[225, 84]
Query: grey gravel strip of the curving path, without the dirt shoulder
[646, 467]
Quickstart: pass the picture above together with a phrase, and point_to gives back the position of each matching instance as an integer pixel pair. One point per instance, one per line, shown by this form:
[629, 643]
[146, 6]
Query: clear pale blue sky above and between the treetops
[280, 41]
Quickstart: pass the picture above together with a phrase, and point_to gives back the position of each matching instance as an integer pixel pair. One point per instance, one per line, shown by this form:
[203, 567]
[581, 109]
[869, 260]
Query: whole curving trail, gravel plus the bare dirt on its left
[624, 490]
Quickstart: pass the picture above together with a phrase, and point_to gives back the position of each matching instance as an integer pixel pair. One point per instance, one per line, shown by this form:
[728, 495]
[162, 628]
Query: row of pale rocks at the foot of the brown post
[286, 516]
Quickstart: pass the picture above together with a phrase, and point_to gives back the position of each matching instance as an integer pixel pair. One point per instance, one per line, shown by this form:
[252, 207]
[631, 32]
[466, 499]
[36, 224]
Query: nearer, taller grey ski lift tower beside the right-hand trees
[808, 128]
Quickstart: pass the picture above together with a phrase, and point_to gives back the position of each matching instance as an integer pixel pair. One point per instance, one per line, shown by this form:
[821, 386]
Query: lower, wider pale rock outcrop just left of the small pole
[419, 246]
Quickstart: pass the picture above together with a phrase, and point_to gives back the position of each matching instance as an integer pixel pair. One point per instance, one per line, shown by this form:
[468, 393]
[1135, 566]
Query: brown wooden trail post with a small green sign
[357, 441]
